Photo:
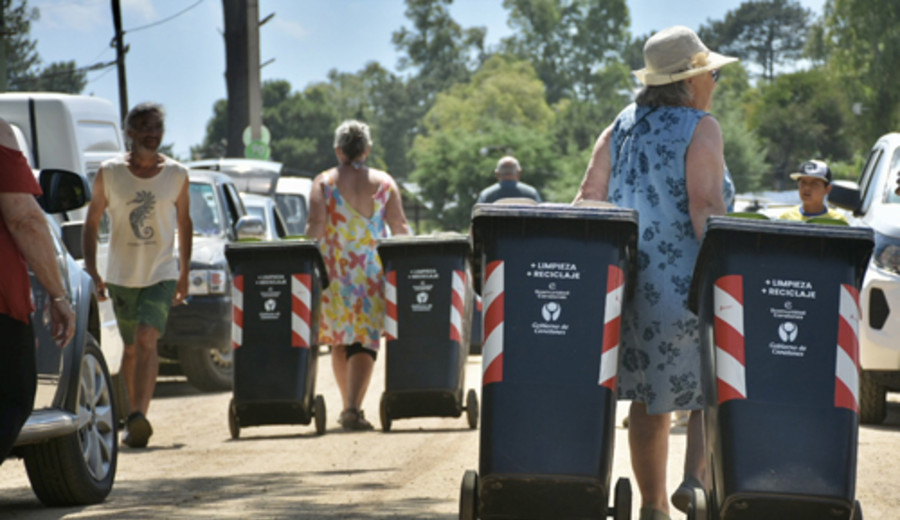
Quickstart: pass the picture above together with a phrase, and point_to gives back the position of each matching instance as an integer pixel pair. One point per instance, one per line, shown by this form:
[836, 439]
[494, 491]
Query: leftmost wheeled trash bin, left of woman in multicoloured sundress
[276, 297]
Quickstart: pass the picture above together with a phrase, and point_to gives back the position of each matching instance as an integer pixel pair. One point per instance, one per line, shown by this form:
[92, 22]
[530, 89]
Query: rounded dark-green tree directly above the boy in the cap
[801, 116]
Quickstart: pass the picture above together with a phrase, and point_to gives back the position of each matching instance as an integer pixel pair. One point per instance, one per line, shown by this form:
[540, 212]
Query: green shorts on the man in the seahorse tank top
[137, 305]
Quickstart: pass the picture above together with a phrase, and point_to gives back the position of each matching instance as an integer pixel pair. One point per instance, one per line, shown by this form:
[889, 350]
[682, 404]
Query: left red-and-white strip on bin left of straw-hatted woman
[492, 350]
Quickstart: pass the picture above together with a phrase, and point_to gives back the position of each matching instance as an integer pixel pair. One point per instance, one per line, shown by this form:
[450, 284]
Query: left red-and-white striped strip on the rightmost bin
[728, 300]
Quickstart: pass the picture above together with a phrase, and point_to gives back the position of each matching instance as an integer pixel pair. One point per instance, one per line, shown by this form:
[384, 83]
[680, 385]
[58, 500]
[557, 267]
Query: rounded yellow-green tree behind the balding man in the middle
[501, 111]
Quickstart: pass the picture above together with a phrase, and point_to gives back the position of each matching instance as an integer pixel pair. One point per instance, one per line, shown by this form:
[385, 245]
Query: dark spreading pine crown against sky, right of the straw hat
[769, 33]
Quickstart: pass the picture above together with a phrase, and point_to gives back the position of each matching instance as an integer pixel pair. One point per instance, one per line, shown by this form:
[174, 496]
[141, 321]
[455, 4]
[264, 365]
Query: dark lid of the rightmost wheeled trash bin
[720, 231]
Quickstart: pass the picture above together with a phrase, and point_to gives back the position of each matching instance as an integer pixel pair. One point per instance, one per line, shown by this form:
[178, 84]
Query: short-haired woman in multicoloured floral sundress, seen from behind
[351, 208]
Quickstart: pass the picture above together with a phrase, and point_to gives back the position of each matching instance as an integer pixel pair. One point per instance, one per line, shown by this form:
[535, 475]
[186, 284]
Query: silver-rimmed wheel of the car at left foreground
[79, 468]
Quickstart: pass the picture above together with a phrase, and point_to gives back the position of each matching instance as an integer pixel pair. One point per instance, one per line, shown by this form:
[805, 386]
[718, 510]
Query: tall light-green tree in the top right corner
[863, 39]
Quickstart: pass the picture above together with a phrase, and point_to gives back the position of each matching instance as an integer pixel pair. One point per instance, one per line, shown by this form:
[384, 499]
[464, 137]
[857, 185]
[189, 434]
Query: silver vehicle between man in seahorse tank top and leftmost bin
[198, 334]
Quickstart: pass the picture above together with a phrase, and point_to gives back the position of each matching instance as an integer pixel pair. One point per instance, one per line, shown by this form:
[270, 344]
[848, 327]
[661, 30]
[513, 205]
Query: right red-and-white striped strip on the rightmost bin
[846, 380]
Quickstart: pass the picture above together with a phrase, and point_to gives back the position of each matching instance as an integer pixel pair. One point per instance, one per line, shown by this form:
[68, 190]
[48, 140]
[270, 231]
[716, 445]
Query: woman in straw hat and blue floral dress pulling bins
[663, 156]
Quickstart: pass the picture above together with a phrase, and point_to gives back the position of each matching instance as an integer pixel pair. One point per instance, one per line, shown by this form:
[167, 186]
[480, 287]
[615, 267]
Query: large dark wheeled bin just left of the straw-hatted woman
[552, 284]
